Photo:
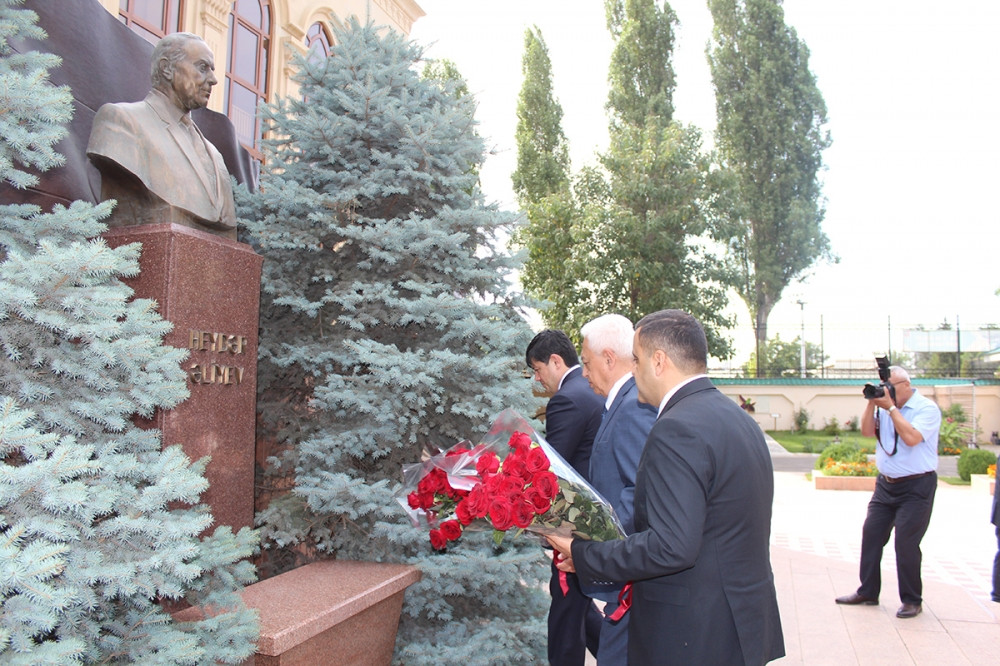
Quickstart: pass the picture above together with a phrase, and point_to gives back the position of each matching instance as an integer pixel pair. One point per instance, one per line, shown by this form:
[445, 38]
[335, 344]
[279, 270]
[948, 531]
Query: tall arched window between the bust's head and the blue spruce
[246, 68]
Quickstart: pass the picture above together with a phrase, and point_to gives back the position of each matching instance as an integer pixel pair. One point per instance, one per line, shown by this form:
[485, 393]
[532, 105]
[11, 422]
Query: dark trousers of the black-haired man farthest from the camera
[574, 623]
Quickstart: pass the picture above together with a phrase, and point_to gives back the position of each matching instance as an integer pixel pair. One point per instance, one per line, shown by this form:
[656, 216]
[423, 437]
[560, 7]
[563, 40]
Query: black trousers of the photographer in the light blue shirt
[905, 506]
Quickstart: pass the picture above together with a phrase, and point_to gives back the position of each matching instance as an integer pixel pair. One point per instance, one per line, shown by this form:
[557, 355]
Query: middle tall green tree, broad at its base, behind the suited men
[641, 229]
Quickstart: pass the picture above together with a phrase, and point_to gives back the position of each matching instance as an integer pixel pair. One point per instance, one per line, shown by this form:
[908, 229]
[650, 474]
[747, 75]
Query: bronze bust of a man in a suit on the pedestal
[153, 159]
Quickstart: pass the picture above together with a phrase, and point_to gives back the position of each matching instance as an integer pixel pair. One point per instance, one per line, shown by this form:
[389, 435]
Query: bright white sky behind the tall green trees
[911, 175]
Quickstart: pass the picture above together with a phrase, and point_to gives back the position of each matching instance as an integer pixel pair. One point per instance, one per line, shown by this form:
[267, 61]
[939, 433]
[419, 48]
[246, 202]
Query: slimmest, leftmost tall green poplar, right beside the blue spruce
[542, 185]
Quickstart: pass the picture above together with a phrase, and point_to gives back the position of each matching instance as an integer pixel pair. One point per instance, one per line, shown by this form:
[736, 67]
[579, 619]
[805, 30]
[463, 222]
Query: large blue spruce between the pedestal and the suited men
[388, 328]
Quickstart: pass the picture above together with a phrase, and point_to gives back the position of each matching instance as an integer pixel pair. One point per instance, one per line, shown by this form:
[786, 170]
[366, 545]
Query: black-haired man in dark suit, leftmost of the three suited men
[572, 418]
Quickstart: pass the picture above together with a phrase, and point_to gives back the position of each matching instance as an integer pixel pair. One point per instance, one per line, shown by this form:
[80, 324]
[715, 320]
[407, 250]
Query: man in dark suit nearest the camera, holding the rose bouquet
[703, 591]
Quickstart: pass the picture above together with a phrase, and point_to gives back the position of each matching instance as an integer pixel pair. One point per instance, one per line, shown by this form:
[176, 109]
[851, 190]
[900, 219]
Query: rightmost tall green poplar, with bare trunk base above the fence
[770, 137]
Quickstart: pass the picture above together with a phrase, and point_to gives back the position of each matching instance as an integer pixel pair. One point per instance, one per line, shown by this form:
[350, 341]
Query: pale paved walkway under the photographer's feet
[815, 548]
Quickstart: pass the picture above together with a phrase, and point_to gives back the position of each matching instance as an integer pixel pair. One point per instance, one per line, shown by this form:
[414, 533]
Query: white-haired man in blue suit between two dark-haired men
[606, 355]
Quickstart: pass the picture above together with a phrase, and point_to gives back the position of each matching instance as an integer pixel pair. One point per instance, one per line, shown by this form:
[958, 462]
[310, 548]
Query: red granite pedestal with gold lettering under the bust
[208, 287]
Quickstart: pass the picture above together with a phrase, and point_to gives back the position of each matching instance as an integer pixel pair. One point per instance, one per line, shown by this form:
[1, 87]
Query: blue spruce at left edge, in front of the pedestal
[92, 536]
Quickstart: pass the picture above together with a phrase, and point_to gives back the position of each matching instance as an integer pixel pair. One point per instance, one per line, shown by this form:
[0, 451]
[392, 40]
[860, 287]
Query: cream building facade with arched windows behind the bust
[255, 41]
